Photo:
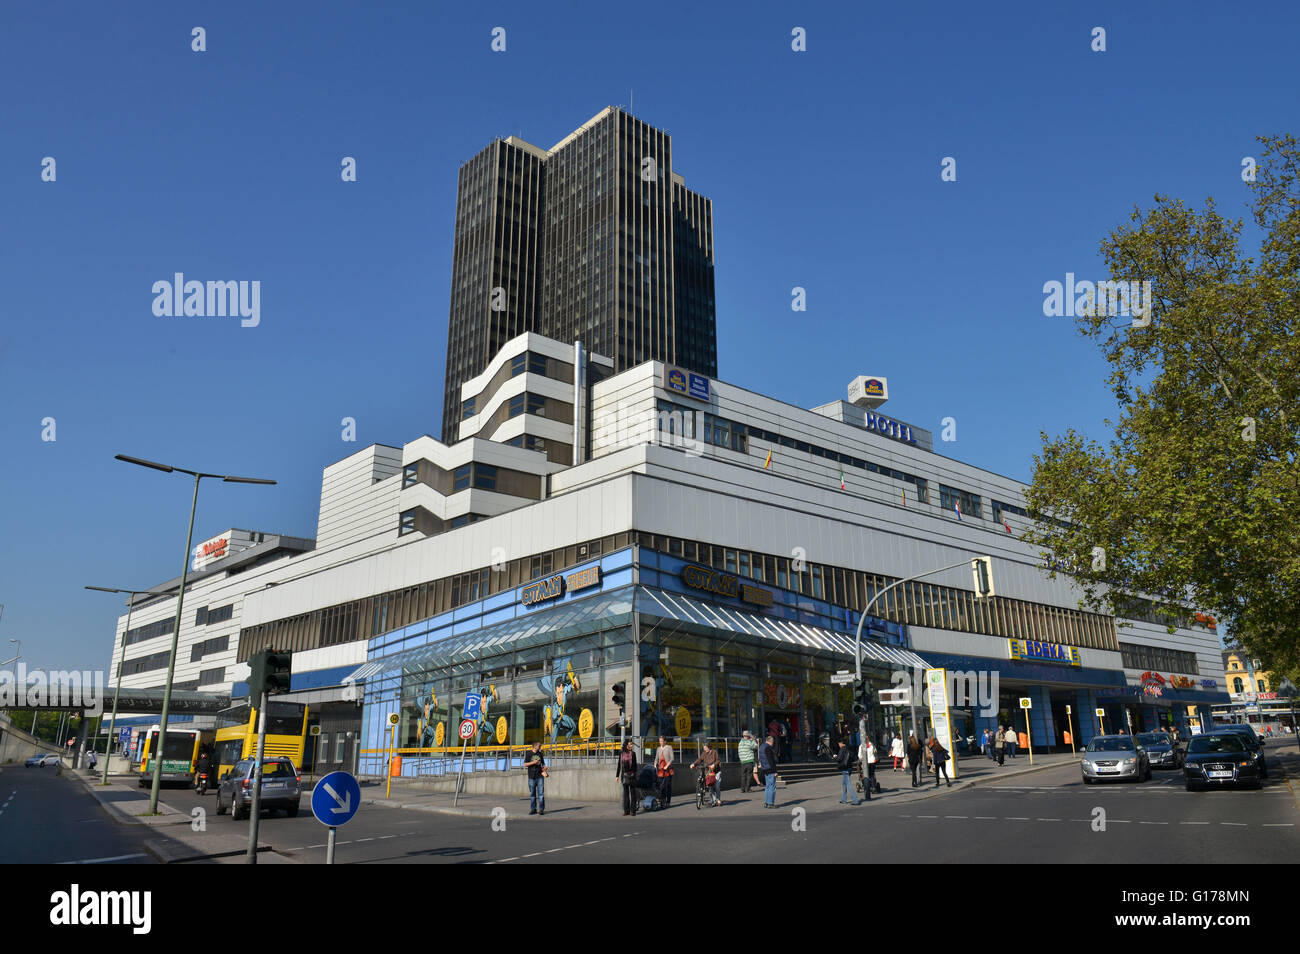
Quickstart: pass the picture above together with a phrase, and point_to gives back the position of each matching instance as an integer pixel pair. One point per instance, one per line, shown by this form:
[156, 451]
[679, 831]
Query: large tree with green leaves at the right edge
[1195, 501]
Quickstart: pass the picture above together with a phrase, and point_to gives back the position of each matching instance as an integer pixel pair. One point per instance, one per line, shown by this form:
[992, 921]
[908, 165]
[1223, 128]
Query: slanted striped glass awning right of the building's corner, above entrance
[690, 610]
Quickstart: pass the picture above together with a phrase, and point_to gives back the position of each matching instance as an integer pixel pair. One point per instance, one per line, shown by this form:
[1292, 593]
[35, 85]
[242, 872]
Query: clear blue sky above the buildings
[824, 168]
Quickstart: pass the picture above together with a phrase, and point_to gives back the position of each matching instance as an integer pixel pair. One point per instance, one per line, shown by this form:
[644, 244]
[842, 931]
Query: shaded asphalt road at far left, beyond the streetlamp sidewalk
[49, 819]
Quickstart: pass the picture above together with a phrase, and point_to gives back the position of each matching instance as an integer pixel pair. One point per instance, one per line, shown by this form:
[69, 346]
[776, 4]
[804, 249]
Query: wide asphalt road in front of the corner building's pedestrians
[1047, 817]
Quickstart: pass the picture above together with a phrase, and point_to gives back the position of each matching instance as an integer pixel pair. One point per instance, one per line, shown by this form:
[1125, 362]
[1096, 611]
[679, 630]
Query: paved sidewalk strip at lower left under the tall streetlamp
[177, 842]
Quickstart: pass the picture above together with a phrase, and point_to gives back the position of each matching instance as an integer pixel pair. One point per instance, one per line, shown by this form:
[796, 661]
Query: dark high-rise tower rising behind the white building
[597, 242]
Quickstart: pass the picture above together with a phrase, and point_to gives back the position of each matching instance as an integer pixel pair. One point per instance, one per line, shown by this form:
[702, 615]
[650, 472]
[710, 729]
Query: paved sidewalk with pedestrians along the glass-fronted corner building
[816, 792]
